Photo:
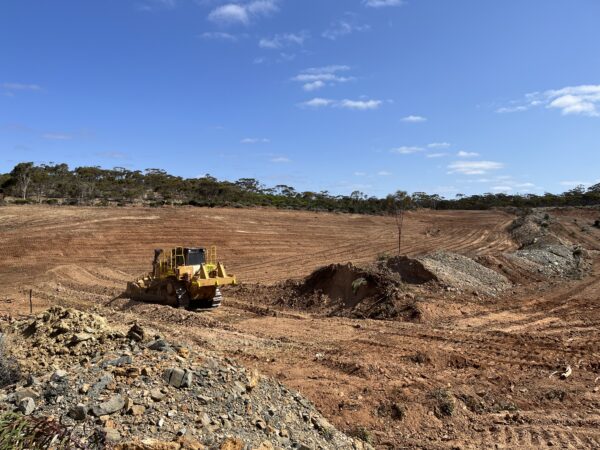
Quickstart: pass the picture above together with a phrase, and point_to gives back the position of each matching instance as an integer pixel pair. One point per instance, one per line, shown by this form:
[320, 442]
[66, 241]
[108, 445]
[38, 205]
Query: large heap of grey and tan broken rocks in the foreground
[140, 393]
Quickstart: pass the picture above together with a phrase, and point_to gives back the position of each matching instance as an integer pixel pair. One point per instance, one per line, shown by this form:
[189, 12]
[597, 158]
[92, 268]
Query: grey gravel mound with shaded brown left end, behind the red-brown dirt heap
[451, 270]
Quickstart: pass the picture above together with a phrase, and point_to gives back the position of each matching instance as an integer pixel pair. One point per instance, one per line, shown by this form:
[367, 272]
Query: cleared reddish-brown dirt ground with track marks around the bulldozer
[474, 373]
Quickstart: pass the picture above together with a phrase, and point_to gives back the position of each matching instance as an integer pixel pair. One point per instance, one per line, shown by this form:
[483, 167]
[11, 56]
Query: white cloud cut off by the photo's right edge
[583, 100]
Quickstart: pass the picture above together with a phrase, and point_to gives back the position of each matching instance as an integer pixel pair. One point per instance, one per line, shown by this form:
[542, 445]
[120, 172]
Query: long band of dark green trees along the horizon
[93, 185]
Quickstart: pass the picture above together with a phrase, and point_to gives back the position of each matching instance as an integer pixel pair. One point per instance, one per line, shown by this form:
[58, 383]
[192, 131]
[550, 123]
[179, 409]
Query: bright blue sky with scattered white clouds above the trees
[462, 96]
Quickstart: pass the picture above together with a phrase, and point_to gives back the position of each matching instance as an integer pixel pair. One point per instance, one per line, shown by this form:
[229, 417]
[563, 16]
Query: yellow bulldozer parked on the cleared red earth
[183, 277]
